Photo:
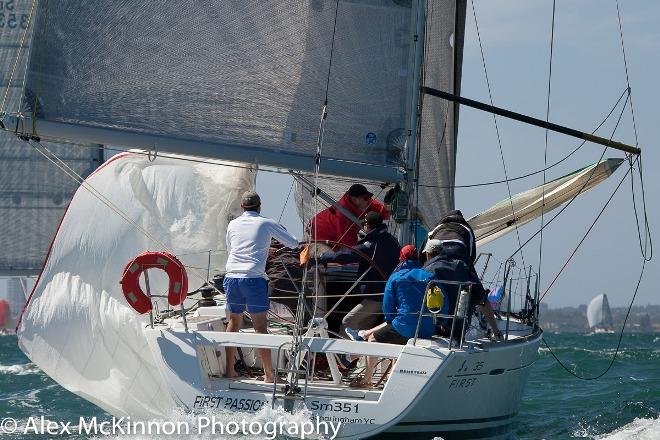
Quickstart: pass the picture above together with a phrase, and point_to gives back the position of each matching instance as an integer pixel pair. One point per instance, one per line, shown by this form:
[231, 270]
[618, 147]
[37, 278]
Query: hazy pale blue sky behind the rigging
[588, 76]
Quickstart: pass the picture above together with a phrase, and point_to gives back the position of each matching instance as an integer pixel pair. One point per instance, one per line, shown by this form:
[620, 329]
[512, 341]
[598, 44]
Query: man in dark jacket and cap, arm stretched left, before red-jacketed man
[381, 247]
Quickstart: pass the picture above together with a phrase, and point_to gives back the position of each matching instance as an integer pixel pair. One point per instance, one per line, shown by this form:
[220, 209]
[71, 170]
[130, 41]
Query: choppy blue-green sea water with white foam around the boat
[624, 404]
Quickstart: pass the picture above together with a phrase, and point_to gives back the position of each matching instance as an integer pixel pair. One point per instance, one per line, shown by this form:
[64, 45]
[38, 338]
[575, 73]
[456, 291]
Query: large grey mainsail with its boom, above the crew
[240, 80]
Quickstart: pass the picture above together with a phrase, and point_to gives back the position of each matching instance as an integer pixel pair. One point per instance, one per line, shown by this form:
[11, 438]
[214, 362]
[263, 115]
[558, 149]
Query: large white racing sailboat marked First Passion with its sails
[331, 92]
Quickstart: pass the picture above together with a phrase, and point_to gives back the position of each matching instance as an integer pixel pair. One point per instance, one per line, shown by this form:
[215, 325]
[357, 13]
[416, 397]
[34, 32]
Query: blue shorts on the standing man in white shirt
[252, 292]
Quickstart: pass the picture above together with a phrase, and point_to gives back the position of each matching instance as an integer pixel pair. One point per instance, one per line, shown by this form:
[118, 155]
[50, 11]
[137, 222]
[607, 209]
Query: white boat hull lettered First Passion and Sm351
[474, 392]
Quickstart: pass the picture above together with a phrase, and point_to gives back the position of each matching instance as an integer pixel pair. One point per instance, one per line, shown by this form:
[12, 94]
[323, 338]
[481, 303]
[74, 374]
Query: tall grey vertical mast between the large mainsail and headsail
[415, 113]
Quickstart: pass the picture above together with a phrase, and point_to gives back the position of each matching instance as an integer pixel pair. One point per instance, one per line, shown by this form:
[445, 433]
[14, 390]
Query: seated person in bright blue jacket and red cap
[402, 301]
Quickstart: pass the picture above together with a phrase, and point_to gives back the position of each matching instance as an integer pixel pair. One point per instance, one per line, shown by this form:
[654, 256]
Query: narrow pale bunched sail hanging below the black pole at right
[500, 220]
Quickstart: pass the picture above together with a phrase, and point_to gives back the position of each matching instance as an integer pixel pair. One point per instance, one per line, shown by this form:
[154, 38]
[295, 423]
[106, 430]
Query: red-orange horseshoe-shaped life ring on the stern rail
[130, 280]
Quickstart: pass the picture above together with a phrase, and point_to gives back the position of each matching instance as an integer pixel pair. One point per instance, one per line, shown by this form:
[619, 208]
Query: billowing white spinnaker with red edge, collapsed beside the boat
[77, 327]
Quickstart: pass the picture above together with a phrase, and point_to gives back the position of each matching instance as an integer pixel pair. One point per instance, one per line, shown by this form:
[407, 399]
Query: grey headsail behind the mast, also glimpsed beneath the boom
[436, 147]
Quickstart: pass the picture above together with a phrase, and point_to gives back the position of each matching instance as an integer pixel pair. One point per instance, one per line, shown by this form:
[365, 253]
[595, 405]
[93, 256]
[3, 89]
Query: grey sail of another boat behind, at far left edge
[33, 193]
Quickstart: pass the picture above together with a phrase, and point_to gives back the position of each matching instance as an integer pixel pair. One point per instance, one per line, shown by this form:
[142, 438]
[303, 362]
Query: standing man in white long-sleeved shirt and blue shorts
[246, 283]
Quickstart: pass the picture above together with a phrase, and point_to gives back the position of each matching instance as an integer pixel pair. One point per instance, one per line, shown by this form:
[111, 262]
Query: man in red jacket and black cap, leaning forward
[331, 224]
